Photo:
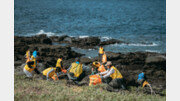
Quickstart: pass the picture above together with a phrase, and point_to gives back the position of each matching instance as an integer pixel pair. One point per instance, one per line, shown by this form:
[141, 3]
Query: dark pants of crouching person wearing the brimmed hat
[116, 84]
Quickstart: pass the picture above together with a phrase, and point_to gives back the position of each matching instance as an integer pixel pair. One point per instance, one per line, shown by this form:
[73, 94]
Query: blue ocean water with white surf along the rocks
[142, 23]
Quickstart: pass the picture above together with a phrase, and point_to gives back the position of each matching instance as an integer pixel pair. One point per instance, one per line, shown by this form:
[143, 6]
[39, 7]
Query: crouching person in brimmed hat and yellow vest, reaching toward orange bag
[117, 81]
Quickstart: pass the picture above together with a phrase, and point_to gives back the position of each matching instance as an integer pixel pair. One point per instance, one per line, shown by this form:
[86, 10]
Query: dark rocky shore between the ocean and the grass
[129, 64]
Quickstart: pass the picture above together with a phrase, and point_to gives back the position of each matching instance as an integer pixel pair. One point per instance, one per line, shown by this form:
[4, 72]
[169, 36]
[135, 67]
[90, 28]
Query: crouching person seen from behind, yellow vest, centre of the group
[75, 71]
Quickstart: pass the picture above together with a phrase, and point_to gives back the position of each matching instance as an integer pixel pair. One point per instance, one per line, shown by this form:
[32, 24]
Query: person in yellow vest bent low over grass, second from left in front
[48, 73]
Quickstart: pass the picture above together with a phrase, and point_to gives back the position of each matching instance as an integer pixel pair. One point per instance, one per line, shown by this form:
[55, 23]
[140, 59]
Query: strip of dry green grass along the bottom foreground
[42, 90]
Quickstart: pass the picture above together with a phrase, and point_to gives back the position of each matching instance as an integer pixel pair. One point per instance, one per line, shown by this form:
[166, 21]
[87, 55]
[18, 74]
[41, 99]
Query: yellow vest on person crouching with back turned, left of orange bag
[76, 69]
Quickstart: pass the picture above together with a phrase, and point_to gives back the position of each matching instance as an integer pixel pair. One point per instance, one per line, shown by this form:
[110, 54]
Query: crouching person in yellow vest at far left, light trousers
[29, 67]
